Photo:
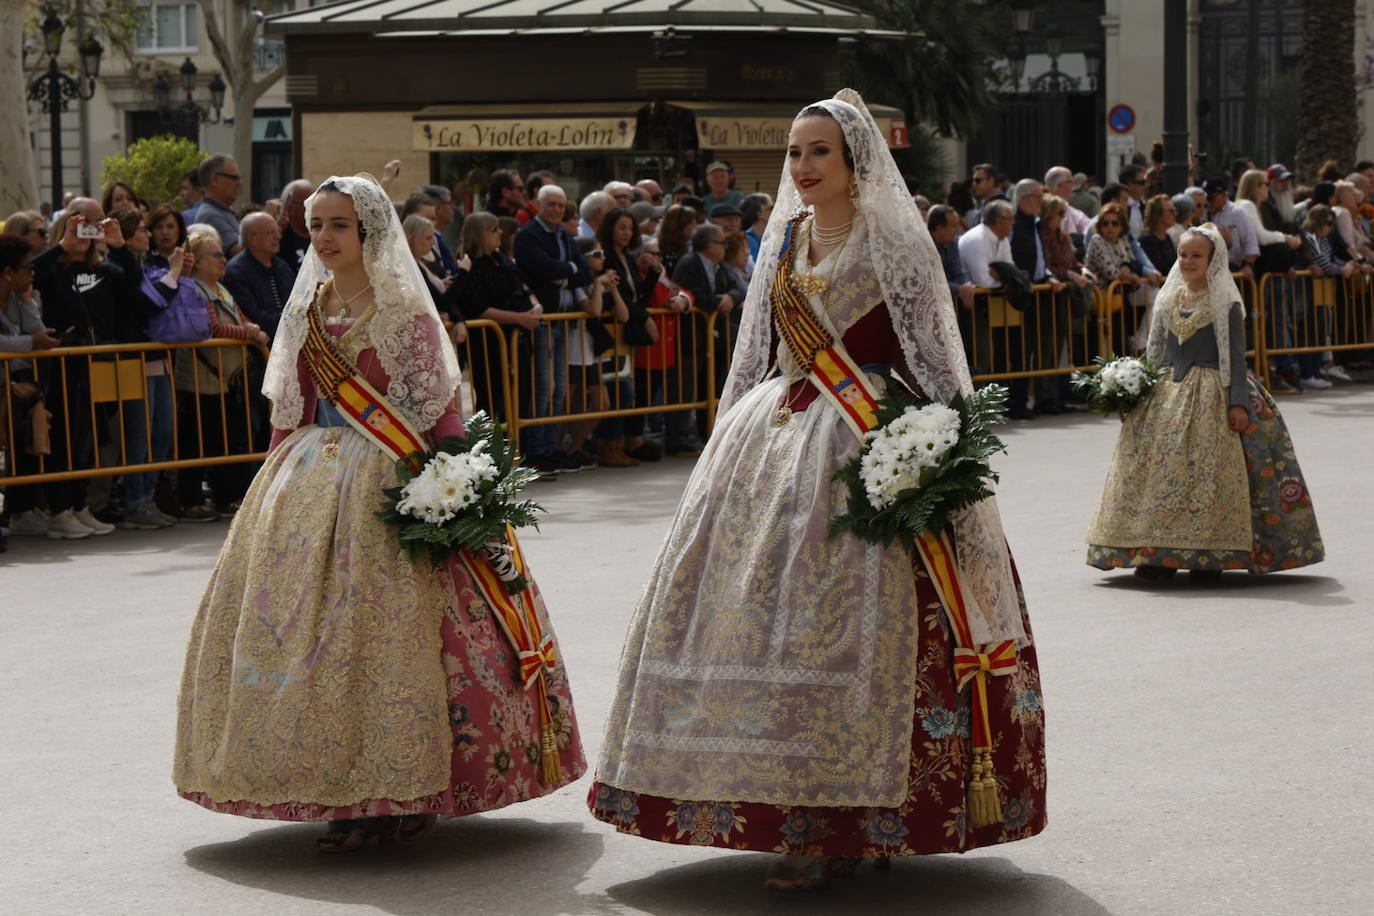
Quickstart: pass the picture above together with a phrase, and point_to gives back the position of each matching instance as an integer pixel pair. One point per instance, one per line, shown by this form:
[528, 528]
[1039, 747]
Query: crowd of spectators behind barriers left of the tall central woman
[646, 266]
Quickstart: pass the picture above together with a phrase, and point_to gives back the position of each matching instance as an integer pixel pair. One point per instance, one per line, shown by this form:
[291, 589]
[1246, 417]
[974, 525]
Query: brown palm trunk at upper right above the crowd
[1328, 117]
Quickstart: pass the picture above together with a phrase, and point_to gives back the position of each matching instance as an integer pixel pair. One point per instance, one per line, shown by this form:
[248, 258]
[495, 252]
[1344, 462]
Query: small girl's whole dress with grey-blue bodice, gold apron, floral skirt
[1186, 492]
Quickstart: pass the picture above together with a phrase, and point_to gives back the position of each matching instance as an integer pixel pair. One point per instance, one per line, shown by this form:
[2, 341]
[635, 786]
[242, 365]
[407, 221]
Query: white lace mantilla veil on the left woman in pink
[402, 325]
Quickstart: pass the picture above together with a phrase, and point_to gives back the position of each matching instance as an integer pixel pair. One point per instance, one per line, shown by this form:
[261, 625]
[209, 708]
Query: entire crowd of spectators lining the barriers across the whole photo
[645, 266]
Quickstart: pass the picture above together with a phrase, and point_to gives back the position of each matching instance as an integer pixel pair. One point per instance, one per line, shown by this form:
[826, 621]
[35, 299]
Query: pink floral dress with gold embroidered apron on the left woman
[330, 678]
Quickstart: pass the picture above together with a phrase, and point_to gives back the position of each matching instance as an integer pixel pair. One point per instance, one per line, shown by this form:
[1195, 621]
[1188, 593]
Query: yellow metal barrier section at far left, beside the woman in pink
[98, 399]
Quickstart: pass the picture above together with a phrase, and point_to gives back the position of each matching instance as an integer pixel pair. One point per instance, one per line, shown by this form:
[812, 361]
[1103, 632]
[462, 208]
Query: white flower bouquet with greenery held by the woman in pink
[464, 496]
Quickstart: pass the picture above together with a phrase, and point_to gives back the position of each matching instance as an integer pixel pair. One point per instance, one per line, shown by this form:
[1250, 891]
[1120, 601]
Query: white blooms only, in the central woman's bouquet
[897, 455]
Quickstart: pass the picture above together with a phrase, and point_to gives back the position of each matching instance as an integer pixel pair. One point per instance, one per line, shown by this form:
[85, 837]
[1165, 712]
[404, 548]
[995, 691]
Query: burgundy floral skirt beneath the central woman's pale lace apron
[932, 821]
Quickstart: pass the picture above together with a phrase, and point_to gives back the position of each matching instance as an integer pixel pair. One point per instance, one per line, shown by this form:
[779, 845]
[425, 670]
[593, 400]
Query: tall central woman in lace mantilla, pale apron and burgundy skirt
[787, 691]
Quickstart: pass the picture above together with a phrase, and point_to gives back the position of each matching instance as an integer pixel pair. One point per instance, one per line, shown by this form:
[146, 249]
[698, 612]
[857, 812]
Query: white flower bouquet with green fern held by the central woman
[923, 463]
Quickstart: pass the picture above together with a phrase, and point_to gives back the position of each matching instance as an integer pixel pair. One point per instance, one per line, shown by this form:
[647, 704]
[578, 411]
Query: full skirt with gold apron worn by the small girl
[1280, 524]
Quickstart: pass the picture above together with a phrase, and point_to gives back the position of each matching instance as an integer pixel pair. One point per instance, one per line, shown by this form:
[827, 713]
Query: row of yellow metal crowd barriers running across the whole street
[97, 395]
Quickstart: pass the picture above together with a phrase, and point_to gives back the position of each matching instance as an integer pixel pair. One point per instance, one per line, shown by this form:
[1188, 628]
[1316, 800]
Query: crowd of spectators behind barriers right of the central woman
[1068, 236]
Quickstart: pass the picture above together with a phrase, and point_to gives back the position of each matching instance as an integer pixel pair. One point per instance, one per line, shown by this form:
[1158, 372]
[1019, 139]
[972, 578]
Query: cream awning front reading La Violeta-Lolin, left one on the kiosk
[526, 128]
